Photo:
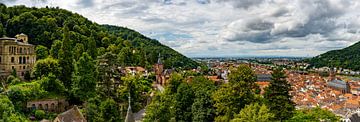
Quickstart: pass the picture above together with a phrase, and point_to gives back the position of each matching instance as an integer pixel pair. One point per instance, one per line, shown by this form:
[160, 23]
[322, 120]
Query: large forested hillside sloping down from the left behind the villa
[45, 25]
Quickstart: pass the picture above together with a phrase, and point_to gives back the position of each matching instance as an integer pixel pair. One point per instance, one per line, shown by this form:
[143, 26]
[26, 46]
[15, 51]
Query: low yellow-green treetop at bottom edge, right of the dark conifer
[314, 115]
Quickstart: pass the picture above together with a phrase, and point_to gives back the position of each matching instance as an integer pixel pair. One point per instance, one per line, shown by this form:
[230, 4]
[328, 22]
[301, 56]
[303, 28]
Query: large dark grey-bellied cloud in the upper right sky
[318, 17]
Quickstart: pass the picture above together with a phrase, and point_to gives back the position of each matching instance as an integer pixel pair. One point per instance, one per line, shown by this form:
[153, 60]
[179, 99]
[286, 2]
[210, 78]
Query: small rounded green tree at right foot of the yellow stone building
[46, 66]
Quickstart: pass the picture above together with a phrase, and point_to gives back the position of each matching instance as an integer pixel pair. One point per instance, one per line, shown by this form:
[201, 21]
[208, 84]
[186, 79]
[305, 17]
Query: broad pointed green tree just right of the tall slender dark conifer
[84, 78]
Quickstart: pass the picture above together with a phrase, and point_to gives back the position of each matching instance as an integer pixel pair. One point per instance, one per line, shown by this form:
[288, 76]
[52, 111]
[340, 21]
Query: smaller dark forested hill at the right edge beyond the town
[348, 58]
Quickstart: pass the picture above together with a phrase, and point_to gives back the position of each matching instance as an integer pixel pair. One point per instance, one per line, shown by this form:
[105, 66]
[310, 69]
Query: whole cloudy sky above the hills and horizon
[218, 28]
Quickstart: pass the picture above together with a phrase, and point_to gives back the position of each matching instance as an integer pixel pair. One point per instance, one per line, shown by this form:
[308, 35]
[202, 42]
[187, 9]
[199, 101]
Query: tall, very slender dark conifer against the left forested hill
[66, 58]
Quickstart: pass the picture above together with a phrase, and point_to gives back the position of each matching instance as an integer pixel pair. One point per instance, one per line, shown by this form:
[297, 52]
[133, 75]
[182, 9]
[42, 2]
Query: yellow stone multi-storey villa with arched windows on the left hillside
[16, 53]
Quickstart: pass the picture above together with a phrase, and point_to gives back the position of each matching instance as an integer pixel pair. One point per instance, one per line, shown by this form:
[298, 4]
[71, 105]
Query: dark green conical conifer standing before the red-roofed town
[277, 96]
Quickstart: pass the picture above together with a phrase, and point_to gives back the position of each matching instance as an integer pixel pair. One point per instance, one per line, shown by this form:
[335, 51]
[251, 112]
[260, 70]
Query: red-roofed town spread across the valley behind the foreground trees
[334, 89]
